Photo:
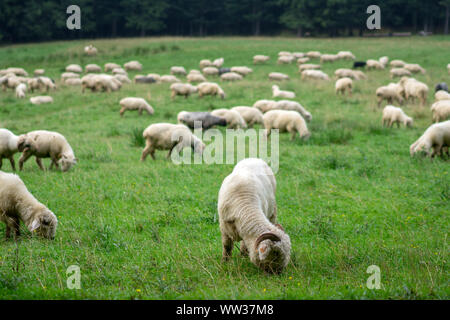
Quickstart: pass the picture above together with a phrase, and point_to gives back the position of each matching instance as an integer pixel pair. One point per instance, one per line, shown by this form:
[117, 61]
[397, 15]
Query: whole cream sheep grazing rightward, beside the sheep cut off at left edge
[46, 144]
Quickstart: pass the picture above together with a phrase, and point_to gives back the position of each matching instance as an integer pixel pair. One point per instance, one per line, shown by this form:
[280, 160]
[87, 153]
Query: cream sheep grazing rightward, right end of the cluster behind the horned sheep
[286, 120]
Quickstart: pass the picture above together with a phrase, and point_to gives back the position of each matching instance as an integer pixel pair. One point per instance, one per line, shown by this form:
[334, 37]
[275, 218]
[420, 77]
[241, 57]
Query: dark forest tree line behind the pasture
[34, 20]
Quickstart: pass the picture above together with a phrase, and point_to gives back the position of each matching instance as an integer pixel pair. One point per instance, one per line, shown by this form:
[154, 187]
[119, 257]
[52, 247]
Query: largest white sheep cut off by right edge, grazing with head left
[433, 140]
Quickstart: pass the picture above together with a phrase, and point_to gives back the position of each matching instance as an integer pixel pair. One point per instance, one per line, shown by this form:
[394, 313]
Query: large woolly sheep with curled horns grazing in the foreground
[248, 213]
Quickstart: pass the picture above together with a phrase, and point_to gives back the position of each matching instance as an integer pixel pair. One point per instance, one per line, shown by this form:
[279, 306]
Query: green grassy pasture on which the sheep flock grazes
[350, 197]
